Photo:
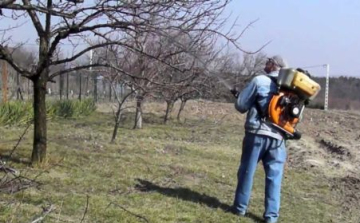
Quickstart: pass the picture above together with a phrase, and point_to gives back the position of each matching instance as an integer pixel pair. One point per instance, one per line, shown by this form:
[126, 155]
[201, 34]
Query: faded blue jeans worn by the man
[272, 153]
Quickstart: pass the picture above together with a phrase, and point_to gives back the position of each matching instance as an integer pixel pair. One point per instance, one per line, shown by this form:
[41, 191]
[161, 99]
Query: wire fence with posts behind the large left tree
[75, 85]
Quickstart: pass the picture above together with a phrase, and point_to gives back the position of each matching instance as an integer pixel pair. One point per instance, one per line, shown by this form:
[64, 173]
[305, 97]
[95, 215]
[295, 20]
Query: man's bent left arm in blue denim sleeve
[247, 97]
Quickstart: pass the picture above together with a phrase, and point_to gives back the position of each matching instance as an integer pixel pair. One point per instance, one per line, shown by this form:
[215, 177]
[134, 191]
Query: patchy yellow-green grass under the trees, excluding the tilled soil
[181, 172]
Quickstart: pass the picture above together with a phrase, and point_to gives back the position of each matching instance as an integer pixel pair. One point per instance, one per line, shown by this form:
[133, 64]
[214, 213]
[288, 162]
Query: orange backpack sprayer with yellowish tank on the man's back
[296, 89]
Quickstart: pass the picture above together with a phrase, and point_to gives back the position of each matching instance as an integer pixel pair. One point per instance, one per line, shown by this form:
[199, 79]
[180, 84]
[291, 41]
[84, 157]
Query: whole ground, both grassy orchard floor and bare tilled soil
[181, 172]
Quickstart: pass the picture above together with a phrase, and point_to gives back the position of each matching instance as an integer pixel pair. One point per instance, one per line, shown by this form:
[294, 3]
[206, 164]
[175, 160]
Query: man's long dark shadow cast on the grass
[189, 195]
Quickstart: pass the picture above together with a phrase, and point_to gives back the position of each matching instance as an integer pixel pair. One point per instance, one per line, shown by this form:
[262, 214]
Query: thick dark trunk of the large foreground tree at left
[39, 145]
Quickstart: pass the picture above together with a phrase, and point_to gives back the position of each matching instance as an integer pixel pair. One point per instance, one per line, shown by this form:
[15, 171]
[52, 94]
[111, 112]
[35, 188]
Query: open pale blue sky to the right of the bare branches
[304, 32]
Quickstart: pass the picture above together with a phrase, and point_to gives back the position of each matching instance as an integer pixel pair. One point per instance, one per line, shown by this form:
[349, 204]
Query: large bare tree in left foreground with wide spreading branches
[98, 23]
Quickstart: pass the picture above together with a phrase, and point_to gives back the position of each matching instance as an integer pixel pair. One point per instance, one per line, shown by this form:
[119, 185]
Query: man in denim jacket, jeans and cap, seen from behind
[261, 142]
